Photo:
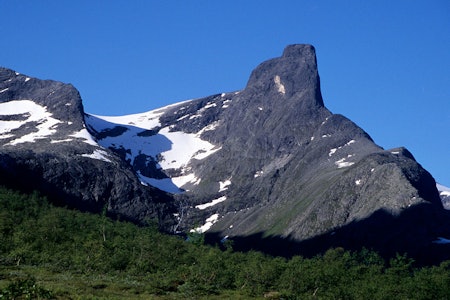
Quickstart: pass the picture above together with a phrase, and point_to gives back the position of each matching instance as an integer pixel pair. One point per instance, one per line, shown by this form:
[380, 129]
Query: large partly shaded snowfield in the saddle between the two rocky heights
[172, 150]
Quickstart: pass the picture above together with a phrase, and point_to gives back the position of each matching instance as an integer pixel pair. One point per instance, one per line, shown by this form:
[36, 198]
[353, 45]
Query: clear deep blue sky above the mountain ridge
[383, 64]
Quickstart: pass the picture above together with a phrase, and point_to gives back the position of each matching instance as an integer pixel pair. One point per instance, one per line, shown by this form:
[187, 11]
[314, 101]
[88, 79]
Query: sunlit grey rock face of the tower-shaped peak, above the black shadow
[296, 169]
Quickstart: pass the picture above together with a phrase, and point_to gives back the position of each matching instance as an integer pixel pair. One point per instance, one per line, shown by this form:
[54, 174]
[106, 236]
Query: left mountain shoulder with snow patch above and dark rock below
[45, 146]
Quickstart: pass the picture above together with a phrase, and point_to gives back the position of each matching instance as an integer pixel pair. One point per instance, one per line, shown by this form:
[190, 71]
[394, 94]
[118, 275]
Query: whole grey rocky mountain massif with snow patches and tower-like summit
[268, 164]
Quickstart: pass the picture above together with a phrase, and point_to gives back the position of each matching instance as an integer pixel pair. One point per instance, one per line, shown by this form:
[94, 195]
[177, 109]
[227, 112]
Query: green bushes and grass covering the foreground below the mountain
[48, 252]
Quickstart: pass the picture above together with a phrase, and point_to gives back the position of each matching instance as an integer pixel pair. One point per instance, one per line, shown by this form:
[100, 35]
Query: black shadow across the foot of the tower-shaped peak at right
[409, 233]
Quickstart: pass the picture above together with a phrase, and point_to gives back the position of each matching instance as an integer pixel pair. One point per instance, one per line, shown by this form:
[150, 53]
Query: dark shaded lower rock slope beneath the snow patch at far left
[87, 185]
